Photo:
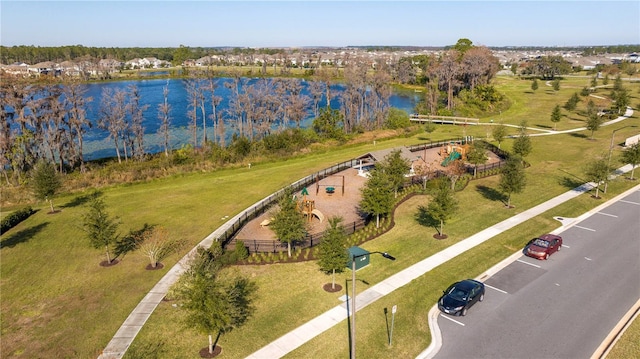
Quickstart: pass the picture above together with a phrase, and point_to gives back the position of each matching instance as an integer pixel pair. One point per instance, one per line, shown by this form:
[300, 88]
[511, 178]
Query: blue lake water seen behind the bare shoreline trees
[97, 145]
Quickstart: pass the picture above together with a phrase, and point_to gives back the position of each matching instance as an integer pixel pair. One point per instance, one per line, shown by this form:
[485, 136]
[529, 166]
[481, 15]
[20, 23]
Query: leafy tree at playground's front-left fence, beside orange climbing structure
[288, 223]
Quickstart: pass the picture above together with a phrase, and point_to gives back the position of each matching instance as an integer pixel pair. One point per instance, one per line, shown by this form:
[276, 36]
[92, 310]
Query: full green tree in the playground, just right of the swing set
[377, 195]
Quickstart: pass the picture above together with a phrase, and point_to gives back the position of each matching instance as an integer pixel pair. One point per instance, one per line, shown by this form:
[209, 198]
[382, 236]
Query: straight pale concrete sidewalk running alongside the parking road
[295, 338]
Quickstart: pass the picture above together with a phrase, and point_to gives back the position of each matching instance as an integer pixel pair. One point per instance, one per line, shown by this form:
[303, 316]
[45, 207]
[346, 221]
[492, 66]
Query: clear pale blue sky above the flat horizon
[259, 24]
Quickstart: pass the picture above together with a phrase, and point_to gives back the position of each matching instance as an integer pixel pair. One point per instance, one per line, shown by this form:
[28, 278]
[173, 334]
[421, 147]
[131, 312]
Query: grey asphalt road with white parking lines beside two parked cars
[563, 307]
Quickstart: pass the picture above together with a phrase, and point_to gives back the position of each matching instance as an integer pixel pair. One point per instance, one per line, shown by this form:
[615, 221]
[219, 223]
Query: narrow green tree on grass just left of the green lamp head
[332, 251]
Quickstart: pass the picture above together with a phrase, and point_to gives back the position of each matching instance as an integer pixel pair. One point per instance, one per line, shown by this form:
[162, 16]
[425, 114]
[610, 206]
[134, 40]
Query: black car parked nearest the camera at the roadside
[460, 296]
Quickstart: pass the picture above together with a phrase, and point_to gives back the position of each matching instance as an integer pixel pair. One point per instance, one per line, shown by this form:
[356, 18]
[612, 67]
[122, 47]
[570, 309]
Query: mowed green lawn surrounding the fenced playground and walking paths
[58, 302]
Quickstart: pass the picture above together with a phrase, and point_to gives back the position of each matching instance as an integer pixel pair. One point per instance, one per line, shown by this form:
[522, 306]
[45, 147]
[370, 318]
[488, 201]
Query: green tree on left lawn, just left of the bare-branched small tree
[101, 229]
